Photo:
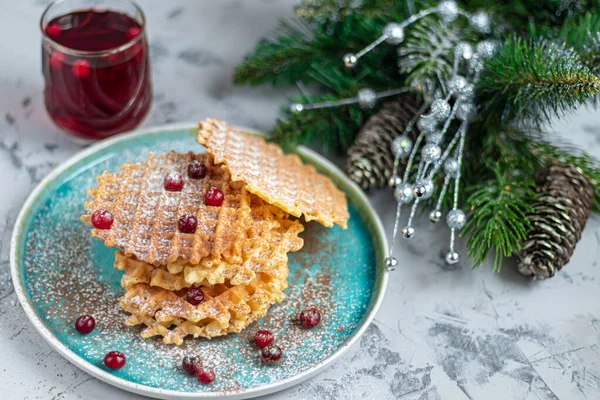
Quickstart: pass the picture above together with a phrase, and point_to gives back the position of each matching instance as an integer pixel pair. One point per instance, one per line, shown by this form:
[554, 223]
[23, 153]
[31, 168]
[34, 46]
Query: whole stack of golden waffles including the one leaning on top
[237, 255]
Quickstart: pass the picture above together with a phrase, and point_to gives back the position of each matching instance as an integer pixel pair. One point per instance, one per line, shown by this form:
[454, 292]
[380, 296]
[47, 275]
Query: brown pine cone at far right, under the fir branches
[564, 203]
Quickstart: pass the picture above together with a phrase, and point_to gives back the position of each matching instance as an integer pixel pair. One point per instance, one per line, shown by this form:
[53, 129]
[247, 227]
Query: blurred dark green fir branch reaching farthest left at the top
[296, 48]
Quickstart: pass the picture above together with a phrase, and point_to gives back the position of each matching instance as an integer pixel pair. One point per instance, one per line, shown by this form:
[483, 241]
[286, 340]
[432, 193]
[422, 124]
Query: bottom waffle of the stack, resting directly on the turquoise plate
[225, 309]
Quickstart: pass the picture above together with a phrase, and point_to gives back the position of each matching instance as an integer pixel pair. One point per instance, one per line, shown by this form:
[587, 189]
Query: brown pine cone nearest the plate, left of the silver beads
[370, 160]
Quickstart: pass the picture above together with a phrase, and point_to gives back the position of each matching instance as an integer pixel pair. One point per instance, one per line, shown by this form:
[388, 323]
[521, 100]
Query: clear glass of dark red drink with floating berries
[95, 66]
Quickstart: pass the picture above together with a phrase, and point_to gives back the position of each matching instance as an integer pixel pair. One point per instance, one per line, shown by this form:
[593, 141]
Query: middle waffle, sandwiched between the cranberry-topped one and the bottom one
[280, 236]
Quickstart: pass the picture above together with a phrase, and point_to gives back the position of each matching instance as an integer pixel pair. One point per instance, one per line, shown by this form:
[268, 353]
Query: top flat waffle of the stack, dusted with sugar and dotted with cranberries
[146, 215]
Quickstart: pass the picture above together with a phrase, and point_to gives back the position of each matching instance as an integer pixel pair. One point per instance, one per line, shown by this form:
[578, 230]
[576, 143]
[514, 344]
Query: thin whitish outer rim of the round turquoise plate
[172, 394]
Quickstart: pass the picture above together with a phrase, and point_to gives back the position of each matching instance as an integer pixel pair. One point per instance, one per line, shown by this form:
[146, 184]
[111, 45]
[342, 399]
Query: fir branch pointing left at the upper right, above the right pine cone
[534, 82]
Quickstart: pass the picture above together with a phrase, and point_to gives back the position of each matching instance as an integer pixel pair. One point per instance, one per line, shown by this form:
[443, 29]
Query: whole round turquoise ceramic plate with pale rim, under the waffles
[60, 272]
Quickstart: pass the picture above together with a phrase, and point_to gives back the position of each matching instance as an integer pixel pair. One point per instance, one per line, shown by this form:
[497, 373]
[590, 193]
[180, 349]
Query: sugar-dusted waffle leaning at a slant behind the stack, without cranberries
[279, 179]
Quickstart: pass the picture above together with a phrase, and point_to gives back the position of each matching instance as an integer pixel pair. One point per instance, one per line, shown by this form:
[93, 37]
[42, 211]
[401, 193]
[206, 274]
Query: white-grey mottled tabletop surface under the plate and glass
[441, 333]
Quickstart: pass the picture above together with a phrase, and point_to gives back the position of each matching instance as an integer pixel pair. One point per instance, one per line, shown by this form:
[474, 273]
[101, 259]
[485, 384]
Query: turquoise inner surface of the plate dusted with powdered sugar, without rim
[68, 274]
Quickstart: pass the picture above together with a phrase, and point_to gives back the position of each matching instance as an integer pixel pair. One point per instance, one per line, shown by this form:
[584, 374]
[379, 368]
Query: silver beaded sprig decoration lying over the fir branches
[440, 143]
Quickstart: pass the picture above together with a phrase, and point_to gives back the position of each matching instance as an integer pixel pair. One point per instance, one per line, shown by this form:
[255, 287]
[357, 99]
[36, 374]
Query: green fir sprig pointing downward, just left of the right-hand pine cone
[498, 220]
